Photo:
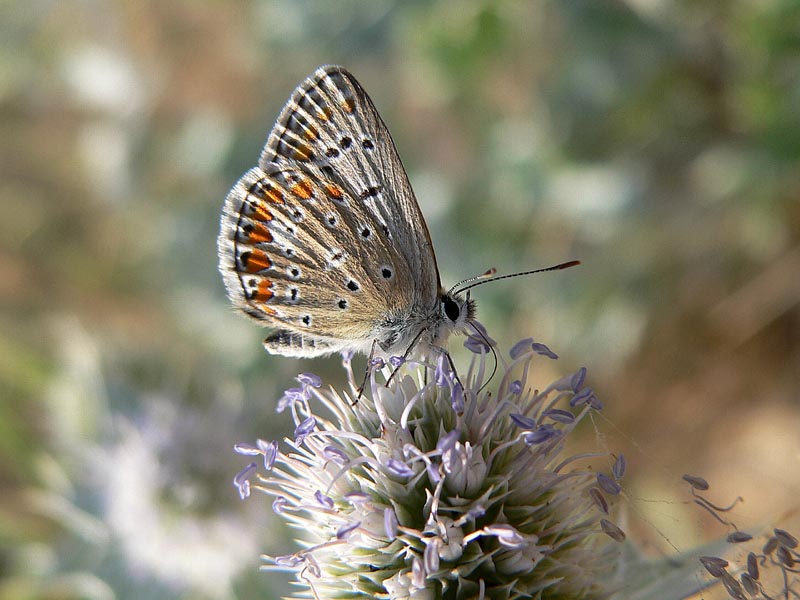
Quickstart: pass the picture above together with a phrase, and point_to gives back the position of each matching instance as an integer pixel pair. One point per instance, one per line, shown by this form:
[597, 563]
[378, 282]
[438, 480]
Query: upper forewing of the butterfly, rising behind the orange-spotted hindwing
[331, 124]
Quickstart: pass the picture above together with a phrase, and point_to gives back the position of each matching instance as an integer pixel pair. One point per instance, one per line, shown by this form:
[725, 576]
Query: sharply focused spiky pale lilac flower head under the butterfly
[435, 487]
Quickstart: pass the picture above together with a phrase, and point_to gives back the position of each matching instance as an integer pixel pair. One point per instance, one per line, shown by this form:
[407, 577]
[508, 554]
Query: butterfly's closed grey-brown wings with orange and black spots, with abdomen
[324, 239]
